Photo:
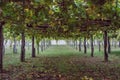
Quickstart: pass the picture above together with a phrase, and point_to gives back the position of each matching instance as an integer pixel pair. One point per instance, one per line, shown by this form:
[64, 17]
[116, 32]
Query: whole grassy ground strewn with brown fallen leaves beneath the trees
[62, 63]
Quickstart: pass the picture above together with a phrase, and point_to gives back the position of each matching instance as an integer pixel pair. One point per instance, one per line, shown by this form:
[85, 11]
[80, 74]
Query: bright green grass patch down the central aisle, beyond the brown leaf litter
[55, 51]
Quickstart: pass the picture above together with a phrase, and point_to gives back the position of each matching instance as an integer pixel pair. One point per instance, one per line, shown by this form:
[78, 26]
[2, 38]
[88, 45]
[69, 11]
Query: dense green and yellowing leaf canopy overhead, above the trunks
[64, 17]
